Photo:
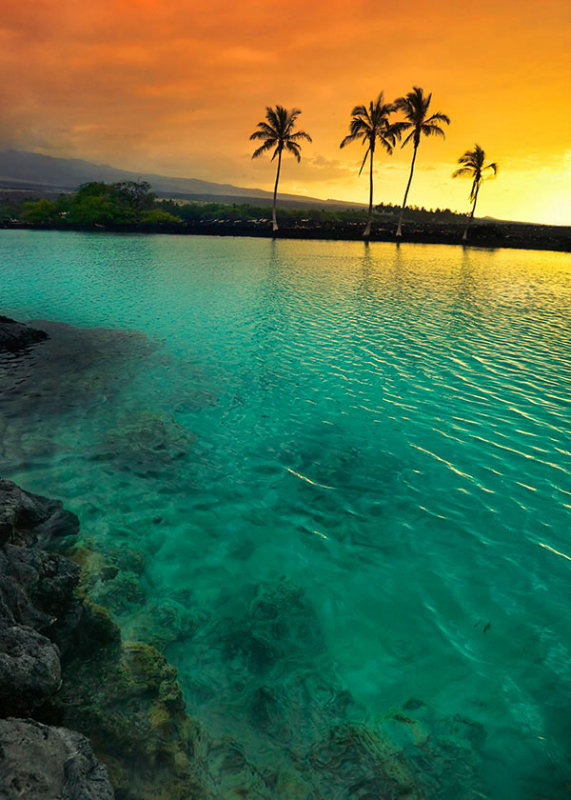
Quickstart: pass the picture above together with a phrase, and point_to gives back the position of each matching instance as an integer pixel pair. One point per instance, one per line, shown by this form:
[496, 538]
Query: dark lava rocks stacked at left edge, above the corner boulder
[36, 592]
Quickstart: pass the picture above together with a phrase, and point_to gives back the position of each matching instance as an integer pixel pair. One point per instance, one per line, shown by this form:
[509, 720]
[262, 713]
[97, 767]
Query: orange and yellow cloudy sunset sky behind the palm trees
[177, 86]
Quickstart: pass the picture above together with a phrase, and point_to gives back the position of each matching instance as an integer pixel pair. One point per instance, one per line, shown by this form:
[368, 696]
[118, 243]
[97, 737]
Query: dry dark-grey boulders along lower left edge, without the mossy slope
[36, 599]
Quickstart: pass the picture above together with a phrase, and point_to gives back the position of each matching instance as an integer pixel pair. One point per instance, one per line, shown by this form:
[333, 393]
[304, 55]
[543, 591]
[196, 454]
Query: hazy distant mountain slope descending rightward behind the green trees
[22, 170]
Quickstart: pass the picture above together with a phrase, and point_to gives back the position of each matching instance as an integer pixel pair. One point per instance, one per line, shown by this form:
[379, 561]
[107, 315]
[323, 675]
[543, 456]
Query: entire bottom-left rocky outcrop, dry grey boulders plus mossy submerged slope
[63, 663]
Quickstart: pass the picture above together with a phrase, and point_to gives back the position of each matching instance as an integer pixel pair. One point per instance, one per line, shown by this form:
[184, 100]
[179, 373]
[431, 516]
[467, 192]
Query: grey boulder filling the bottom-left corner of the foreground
[38, 762]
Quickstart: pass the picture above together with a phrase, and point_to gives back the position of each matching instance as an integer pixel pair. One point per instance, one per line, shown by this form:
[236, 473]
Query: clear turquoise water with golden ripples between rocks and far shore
[347, 468]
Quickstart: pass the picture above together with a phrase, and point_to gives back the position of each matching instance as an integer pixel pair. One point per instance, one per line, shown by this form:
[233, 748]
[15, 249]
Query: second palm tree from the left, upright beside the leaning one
[371, 125]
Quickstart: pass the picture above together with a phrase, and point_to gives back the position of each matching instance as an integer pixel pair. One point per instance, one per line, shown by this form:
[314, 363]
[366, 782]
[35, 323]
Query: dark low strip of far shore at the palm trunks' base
[520, 236]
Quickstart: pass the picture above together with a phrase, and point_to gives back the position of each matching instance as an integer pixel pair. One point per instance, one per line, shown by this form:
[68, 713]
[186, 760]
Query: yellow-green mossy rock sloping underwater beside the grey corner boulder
[127, 699]
